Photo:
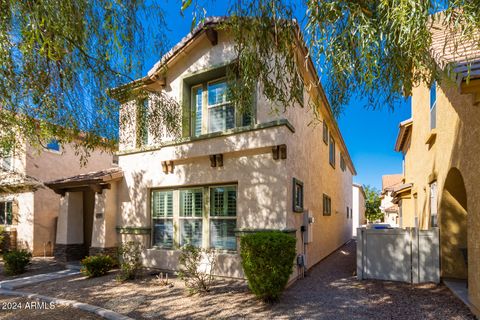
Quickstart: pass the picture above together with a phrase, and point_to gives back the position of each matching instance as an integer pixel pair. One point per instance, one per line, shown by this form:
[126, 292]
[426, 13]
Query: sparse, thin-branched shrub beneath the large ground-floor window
[196, 268]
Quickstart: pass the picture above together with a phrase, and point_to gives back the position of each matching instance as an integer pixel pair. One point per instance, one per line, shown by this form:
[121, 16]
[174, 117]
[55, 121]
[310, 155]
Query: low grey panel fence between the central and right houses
[408, 255]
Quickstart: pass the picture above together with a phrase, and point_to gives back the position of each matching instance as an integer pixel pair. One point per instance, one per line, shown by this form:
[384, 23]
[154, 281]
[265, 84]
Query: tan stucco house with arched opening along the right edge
[441, 145]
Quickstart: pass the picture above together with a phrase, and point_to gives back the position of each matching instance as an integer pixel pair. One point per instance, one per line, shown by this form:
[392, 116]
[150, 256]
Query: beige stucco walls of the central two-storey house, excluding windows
[264, 199]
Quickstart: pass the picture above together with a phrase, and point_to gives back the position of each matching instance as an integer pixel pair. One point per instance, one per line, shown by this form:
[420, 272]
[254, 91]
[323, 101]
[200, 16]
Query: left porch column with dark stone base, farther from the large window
[69, 242]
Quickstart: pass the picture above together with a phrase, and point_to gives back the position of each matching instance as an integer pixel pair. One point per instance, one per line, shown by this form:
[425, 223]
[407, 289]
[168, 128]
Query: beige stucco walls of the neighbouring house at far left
[37, 211]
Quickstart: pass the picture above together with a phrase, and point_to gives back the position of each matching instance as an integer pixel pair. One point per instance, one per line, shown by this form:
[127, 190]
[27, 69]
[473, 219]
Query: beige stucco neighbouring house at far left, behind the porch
[28, 210]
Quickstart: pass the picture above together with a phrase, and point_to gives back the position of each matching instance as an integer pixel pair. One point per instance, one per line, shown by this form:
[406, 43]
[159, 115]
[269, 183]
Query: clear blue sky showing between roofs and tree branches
[369, 134]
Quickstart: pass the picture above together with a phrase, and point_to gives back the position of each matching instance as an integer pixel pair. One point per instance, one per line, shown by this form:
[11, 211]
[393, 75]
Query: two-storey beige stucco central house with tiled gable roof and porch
[229, 173]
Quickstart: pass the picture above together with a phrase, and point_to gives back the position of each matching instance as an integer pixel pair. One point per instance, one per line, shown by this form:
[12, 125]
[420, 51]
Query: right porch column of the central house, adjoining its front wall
[104, 236]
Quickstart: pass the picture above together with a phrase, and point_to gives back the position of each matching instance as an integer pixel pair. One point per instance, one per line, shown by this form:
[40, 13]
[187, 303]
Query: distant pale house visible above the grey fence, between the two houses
[389, 209]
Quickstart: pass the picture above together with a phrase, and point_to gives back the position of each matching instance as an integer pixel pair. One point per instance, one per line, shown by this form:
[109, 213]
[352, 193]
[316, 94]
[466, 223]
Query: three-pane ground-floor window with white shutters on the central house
[202, 216]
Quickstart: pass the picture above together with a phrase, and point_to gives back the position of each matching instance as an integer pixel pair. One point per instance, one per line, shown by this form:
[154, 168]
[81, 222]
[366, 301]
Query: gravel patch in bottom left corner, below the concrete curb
[22, 309]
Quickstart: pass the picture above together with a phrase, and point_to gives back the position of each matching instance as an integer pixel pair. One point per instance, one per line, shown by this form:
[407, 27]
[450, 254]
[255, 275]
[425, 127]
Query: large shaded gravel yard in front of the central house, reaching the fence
[330, 291]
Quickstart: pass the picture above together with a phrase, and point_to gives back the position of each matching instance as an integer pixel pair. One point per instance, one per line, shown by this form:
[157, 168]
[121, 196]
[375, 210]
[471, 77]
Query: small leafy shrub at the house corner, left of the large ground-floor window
[130, 258]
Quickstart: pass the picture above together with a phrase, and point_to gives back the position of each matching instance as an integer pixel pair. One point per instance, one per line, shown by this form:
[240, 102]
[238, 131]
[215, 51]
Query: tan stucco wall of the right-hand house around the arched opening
[456, 147]
